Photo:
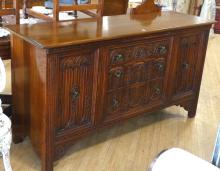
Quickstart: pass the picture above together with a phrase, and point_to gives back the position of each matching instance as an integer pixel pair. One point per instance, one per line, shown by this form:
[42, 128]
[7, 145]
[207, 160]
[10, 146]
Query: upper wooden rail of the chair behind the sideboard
[78, 7]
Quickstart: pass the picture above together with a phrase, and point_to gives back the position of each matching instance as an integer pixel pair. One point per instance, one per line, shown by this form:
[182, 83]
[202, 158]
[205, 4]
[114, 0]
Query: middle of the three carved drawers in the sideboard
[136, 72]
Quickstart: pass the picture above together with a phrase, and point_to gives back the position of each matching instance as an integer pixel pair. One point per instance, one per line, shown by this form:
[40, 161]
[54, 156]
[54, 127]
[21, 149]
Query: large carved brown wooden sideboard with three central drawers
[70, 78]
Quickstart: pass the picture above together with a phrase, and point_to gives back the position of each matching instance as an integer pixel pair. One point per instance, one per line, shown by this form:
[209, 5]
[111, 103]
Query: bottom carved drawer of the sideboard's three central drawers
[125, 99]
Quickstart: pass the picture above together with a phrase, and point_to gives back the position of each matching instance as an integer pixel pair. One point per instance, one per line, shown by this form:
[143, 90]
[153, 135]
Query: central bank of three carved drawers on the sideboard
[136, 77]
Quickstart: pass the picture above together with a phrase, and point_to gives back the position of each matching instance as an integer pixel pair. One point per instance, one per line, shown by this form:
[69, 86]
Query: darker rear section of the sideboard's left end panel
[20, 89]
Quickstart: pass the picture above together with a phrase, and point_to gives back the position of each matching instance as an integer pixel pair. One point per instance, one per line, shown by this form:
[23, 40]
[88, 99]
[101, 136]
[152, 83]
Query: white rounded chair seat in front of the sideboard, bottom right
[177, 159]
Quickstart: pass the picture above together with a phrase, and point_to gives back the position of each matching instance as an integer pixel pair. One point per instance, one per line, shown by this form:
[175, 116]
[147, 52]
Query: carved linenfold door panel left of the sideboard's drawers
[75, 92]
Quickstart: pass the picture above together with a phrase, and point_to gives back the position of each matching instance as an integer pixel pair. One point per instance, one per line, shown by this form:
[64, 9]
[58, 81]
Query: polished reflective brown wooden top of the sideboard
[58, 34]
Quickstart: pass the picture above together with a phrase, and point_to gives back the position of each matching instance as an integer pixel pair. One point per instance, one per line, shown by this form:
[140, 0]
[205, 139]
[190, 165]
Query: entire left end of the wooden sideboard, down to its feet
[29, 97]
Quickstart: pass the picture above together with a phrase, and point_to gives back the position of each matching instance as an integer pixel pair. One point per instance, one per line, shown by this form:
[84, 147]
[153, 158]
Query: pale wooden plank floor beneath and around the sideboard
[132, 145]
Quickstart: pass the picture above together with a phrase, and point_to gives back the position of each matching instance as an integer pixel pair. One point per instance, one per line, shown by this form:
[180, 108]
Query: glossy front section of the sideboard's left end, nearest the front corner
[37, 97]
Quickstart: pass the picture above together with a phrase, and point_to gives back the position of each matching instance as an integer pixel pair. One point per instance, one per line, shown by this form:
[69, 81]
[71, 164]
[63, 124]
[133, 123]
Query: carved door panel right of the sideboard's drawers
[186, 64]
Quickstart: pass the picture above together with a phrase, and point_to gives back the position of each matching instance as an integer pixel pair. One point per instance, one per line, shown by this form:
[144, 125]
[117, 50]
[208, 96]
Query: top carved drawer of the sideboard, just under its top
[135, 51]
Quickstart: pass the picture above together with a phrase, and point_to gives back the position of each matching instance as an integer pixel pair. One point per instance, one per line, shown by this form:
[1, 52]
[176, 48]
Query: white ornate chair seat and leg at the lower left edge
[5, 139]
